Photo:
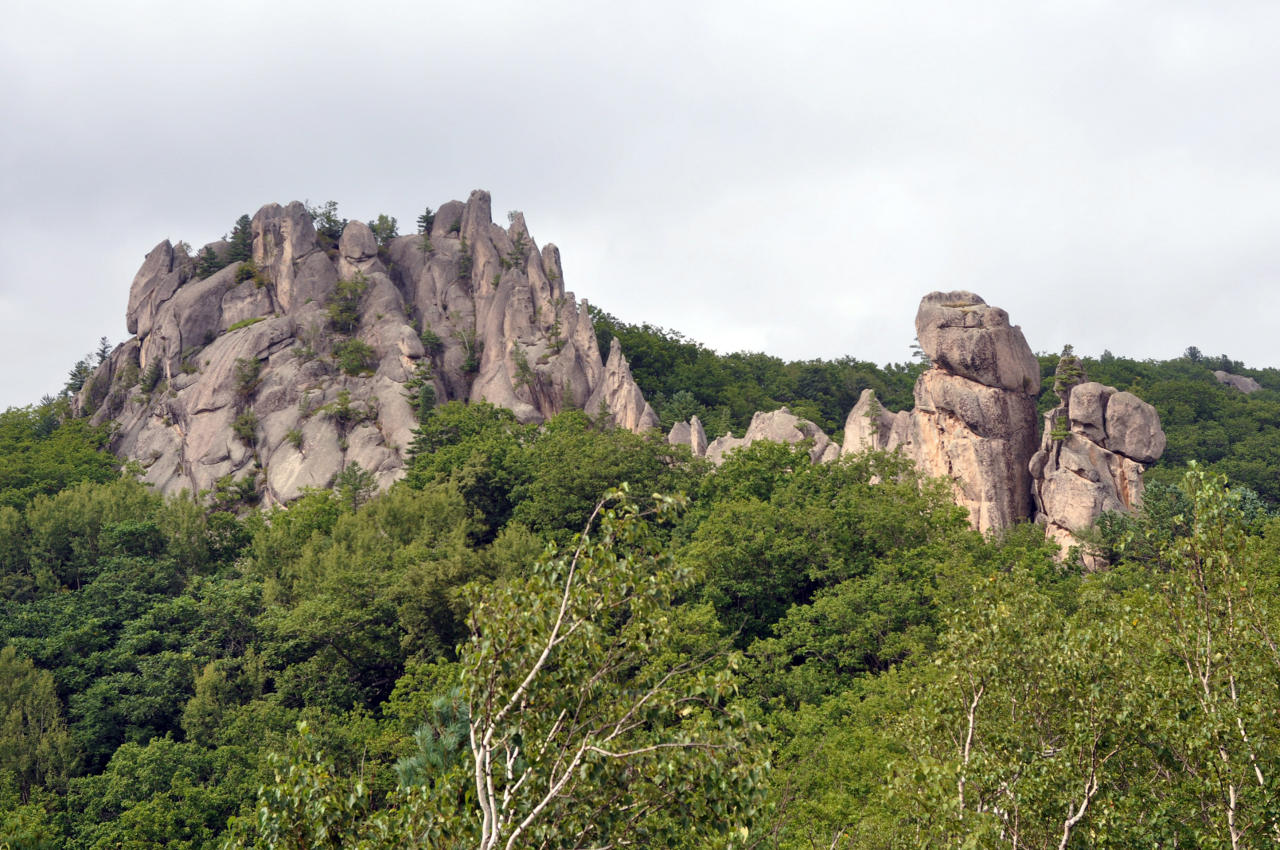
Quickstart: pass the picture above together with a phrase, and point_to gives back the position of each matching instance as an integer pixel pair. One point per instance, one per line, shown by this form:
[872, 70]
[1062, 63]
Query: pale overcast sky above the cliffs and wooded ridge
[788, 179]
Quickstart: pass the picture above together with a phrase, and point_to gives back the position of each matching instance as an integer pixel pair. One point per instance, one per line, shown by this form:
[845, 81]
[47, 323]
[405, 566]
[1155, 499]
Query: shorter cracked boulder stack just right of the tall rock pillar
[1092, 454]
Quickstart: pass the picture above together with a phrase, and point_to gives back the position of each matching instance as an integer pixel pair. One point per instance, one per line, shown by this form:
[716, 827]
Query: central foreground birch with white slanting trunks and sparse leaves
[589, 725]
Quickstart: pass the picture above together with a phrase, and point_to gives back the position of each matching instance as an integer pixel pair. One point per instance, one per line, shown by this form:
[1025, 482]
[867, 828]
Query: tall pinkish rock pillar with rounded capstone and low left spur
[975, 415]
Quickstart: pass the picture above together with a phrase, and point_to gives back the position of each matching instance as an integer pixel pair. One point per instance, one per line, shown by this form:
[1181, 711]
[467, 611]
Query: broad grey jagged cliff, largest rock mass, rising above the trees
[312, 359]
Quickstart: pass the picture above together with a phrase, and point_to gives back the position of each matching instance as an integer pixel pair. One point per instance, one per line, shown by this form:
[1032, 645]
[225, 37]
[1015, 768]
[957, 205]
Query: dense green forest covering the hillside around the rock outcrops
[572, 637]
